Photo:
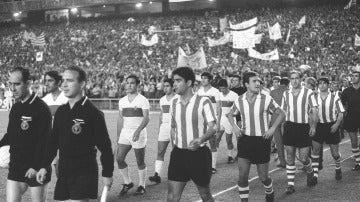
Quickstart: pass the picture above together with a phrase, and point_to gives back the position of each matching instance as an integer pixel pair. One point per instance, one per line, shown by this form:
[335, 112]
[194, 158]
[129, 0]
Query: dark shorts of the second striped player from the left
[255, 149]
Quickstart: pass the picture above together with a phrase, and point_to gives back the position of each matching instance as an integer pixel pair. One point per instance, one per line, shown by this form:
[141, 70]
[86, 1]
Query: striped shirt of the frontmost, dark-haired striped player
[188, 120]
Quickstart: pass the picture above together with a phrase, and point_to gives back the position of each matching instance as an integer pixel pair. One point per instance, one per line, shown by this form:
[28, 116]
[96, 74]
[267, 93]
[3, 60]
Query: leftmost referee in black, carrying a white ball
[27, 133]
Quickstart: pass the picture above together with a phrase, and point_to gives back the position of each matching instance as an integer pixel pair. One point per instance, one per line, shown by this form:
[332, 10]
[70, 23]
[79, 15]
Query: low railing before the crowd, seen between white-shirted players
[113, 104]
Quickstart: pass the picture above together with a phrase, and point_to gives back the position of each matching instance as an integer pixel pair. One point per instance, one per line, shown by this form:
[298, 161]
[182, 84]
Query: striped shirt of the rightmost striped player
[329, 108]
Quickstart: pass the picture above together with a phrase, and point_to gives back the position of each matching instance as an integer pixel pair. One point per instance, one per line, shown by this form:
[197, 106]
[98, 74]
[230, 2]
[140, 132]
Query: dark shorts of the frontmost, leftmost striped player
[188, 165]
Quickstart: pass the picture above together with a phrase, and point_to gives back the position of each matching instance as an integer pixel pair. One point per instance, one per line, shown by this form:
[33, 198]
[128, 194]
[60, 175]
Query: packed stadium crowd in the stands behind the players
[109, 48]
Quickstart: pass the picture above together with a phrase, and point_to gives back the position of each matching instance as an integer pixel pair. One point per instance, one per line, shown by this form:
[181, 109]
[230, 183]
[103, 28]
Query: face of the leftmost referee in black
[17, 86]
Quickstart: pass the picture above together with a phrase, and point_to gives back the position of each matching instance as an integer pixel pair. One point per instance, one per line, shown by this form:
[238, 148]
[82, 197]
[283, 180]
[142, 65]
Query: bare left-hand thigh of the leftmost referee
[15, 190]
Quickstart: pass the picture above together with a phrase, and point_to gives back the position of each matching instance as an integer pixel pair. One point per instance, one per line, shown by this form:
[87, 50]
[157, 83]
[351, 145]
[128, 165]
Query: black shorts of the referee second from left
[76, 187]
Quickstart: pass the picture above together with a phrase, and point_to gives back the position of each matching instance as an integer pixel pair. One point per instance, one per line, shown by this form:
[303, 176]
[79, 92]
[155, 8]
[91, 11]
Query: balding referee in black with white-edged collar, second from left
[79, 128]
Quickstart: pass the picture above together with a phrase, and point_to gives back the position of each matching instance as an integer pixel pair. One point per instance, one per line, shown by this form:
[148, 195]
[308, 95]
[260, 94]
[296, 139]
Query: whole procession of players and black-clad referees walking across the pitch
[182, 121]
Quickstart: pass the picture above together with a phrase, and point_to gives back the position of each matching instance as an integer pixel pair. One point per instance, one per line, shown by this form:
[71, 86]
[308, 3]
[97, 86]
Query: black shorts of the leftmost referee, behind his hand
[18, 174]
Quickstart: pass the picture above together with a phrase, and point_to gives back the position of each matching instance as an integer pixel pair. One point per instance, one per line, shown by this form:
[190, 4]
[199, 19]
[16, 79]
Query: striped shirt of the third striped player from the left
[297, 107]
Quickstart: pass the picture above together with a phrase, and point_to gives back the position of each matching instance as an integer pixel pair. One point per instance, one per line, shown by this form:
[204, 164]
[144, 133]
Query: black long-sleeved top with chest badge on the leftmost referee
[28, 129]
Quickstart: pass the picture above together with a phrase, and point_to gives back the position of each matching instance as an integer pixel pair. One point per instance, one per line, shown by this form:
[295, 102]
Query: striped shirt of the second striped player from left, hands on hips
[255, 117]
